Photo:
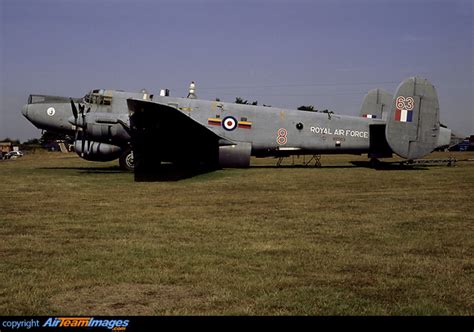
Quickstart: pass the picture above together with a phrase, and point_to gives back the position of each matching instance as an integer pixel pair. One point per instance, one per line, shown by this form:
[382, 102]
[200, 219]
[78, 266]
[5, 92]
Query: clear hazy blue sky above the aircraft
[284, 53]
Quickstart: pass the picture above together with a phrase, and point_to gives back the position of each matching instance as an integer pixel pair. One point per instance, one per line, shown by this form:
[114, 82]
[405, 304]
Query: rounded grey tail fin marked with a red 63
[413, 128]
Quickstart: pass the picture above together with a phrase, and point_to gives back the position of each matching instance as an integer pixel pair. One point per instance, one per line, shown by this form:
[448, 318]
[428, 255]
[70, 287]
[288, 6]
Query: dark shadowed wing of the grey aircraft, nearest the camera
[161, 133]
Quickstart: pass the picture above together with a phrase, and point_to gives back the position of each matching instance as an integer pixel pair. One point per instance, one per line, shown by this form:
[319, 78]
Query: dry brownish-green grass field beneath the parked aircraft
[80, 238]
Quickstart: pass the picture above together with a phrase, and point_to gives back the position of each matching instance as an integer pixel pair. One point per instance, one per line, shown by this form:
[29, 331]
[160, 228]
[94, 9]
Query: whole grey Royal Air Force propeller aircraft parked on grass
[213, 134]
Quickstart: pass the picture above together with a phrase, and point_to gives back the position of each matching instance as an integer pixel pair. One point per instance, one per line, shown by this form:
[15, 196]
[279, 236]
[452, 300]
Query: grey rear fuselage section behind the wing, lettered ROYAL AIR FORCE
[277, 131]
